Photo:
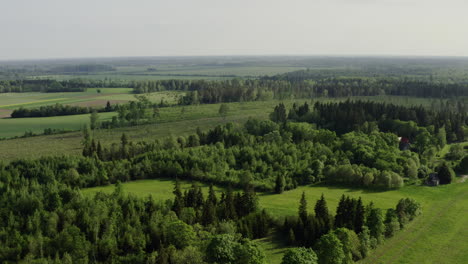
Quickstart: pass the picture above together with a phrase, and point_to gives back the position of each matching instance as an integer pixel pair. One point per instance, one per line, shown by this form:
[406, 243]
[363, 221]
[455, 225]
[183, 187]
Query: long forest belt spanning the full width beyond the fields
[286, 86]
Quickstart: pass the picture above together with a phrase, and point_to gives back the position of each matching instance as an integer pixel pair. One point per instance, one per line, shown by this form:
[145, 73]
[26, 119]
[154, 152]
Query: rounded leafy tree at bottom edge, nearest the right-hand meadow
[330, 250]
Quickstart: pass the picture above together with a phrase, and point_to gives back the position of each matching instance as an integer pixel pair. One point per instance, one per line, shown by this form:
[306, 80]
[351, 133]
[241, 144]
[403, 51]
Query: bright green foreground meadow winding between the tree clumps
[437, 236]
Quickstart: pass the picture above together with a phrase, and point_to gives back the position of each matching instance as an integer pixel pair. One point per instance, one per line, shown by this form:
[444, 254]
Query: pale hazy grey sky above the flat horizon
[102, 28]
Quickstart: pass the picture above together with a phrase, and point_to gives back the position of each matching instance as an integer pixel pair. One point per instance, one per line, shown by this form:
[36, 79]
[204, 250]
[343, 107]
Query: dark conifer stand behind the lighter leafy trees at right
[344, 117]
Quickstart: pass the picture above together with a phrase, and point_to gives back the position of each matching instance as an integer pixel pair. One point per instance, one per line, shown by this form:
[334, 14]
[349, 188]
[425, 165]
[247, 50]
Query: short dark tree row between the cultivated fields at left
[58, 110]
